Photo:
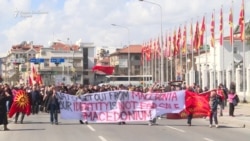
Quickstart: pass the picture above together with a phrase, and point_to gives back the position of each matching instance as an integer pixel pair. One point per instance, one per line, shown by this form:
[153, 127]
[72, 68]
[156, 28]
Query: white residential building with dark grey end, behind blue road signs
[74, 67]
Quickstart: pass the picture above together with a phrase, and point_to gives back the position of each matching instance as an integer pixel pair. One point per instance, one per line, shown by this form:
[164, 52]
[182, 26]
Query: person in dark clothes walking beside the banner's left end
[53, 107]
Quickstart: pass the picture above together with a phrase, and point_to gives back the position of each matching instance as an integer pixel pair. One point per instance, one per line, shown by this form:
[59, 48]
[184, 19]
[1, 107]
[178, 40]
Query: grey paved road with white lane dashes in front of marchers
[38, 128]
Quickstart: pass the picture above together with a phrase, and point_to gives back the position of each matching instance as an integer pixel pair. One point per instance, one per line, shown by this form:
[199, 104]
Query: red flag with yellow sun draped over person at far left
[21, 103]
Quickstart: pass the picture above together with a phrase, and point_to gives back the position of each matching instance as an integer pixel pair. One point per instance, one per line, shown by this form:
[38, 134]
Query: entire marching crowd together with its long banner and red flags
[113, 104]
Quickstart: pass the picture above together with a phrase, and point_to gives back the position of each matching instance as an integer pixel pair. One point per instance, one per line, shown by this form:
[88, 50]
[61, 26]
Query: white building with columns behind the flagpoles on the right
[224, 64]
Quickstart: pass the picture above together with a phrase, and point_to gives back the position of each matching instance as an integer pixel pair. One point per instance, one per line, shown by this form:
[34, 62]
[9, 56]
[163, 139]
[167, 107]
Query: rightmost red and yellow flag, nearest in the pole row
[242, 22]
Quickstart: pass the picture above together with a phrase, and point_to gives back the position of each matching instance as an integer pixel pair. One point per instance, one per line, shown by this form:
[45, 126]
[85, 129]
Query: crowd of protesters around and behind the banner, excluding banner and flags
[43, 98]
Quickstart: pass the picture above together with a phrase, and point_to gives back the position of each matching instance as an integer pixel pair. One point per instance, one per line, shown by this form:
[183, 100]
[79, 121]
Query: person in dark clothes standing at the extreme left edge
[4, 97]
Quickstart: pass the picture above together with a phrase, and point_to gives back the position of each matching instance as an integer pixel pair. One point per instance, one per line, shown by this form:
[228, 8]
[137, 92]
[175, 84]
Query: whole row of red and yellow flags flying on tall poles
[176, 43]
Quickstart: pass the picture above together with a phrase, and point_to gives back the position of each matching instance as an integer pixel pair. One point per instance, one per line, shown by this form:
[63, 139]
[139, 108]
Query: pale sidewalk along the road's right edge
[242, 116]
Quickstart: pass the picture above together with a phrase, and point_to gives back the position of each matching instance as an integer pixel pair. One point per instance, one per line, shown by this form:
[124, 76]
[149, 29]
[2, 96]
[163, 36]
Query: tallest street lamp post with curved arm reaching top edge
[161, 62]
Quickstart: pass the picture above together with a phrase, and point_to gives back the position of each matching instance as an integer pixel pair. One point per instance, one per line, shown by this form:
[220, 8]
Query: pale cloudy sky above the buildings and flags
[90, 20]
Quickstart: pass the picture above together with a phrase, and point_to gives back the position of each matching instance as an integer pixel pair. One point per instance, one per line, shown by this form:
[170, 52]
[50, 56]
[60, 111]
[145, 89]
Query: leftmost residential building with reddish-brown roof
[16, 65]
